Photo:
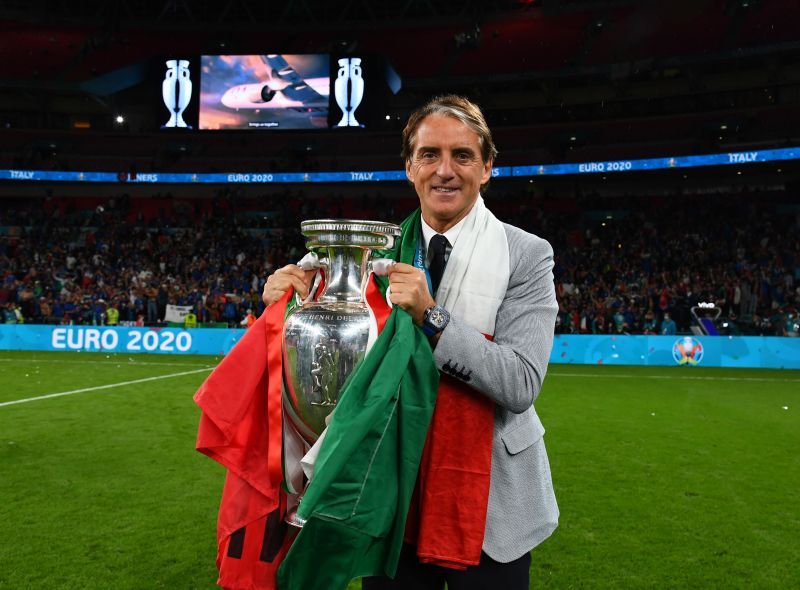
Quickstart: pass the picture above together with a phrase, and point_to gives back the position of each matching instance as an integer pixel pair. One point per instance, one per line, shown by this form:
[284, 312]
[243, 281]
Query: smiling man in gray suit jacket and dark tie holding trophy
[449, 153]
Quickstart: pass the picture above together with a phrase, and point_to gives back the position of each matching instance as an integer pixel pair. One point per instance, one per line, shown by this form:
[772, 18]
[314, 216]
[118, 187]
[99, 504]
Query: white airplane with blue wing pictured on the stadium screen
[284, 88]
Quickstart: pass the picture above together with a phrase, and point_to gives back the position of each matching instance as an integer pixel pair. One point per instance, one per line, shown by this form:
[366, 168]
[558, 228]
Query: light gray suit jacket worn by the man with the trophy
[510, 370]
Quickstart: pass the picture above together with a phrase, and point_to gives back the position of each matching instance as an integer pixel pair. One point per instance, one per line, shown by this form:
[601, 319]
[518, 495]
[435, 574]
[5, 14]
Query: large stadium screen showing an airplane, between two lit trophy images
[264, 91]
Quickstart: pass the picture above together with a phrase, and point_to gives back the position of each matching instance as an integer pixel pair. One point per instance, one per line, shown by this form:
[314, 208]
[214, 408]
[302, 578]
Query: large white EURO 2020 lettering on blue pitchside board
[110, 339]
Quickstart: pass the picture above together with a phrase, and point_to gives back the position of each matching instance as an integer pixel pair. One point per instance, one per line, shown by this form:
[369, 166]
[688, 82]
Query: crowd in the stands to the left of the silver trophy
[76, 266]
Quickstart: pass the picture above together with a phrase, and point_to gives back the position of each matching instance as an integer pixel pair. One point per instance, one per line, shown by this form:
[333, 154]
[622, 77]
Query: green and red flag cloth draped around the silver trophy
[385, 452]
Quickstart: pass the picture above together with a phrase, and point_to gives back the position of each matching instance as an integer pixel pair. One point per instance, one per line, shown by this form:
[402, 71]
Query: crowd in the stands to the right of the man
[641, 267]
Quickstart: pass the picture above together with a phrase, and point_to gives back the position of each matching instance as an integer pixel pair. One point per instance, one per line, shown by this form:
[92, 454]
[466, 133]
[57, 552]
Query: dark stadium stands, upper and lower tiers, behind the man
[566, 81]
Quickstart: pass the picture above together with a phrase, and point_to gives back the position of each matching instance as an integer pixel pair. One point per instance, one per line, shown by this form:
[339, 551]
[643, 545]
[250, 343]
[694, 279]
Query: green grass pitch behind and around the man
[666, 477]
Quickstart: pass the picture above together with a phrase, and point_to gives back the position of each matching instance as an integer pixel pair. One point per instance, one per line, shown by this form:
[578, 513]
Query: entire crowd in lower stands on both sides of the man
[622, 265]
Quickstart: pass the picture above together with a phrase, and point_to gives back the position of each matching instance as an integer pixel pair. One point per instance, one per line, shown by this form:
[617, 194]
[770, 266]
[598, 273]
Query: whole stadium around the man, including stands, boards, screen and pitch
[157, 160]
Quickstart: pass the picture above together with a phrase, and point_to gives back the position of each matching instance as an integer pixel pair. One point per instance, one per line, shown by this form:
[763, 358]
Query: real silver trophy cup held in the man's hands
[324, 340]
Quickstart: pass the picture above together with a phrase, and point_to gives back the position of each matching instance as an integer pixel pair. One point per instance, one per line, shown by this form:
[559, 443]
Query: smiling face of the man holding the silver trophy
[447, 170]
